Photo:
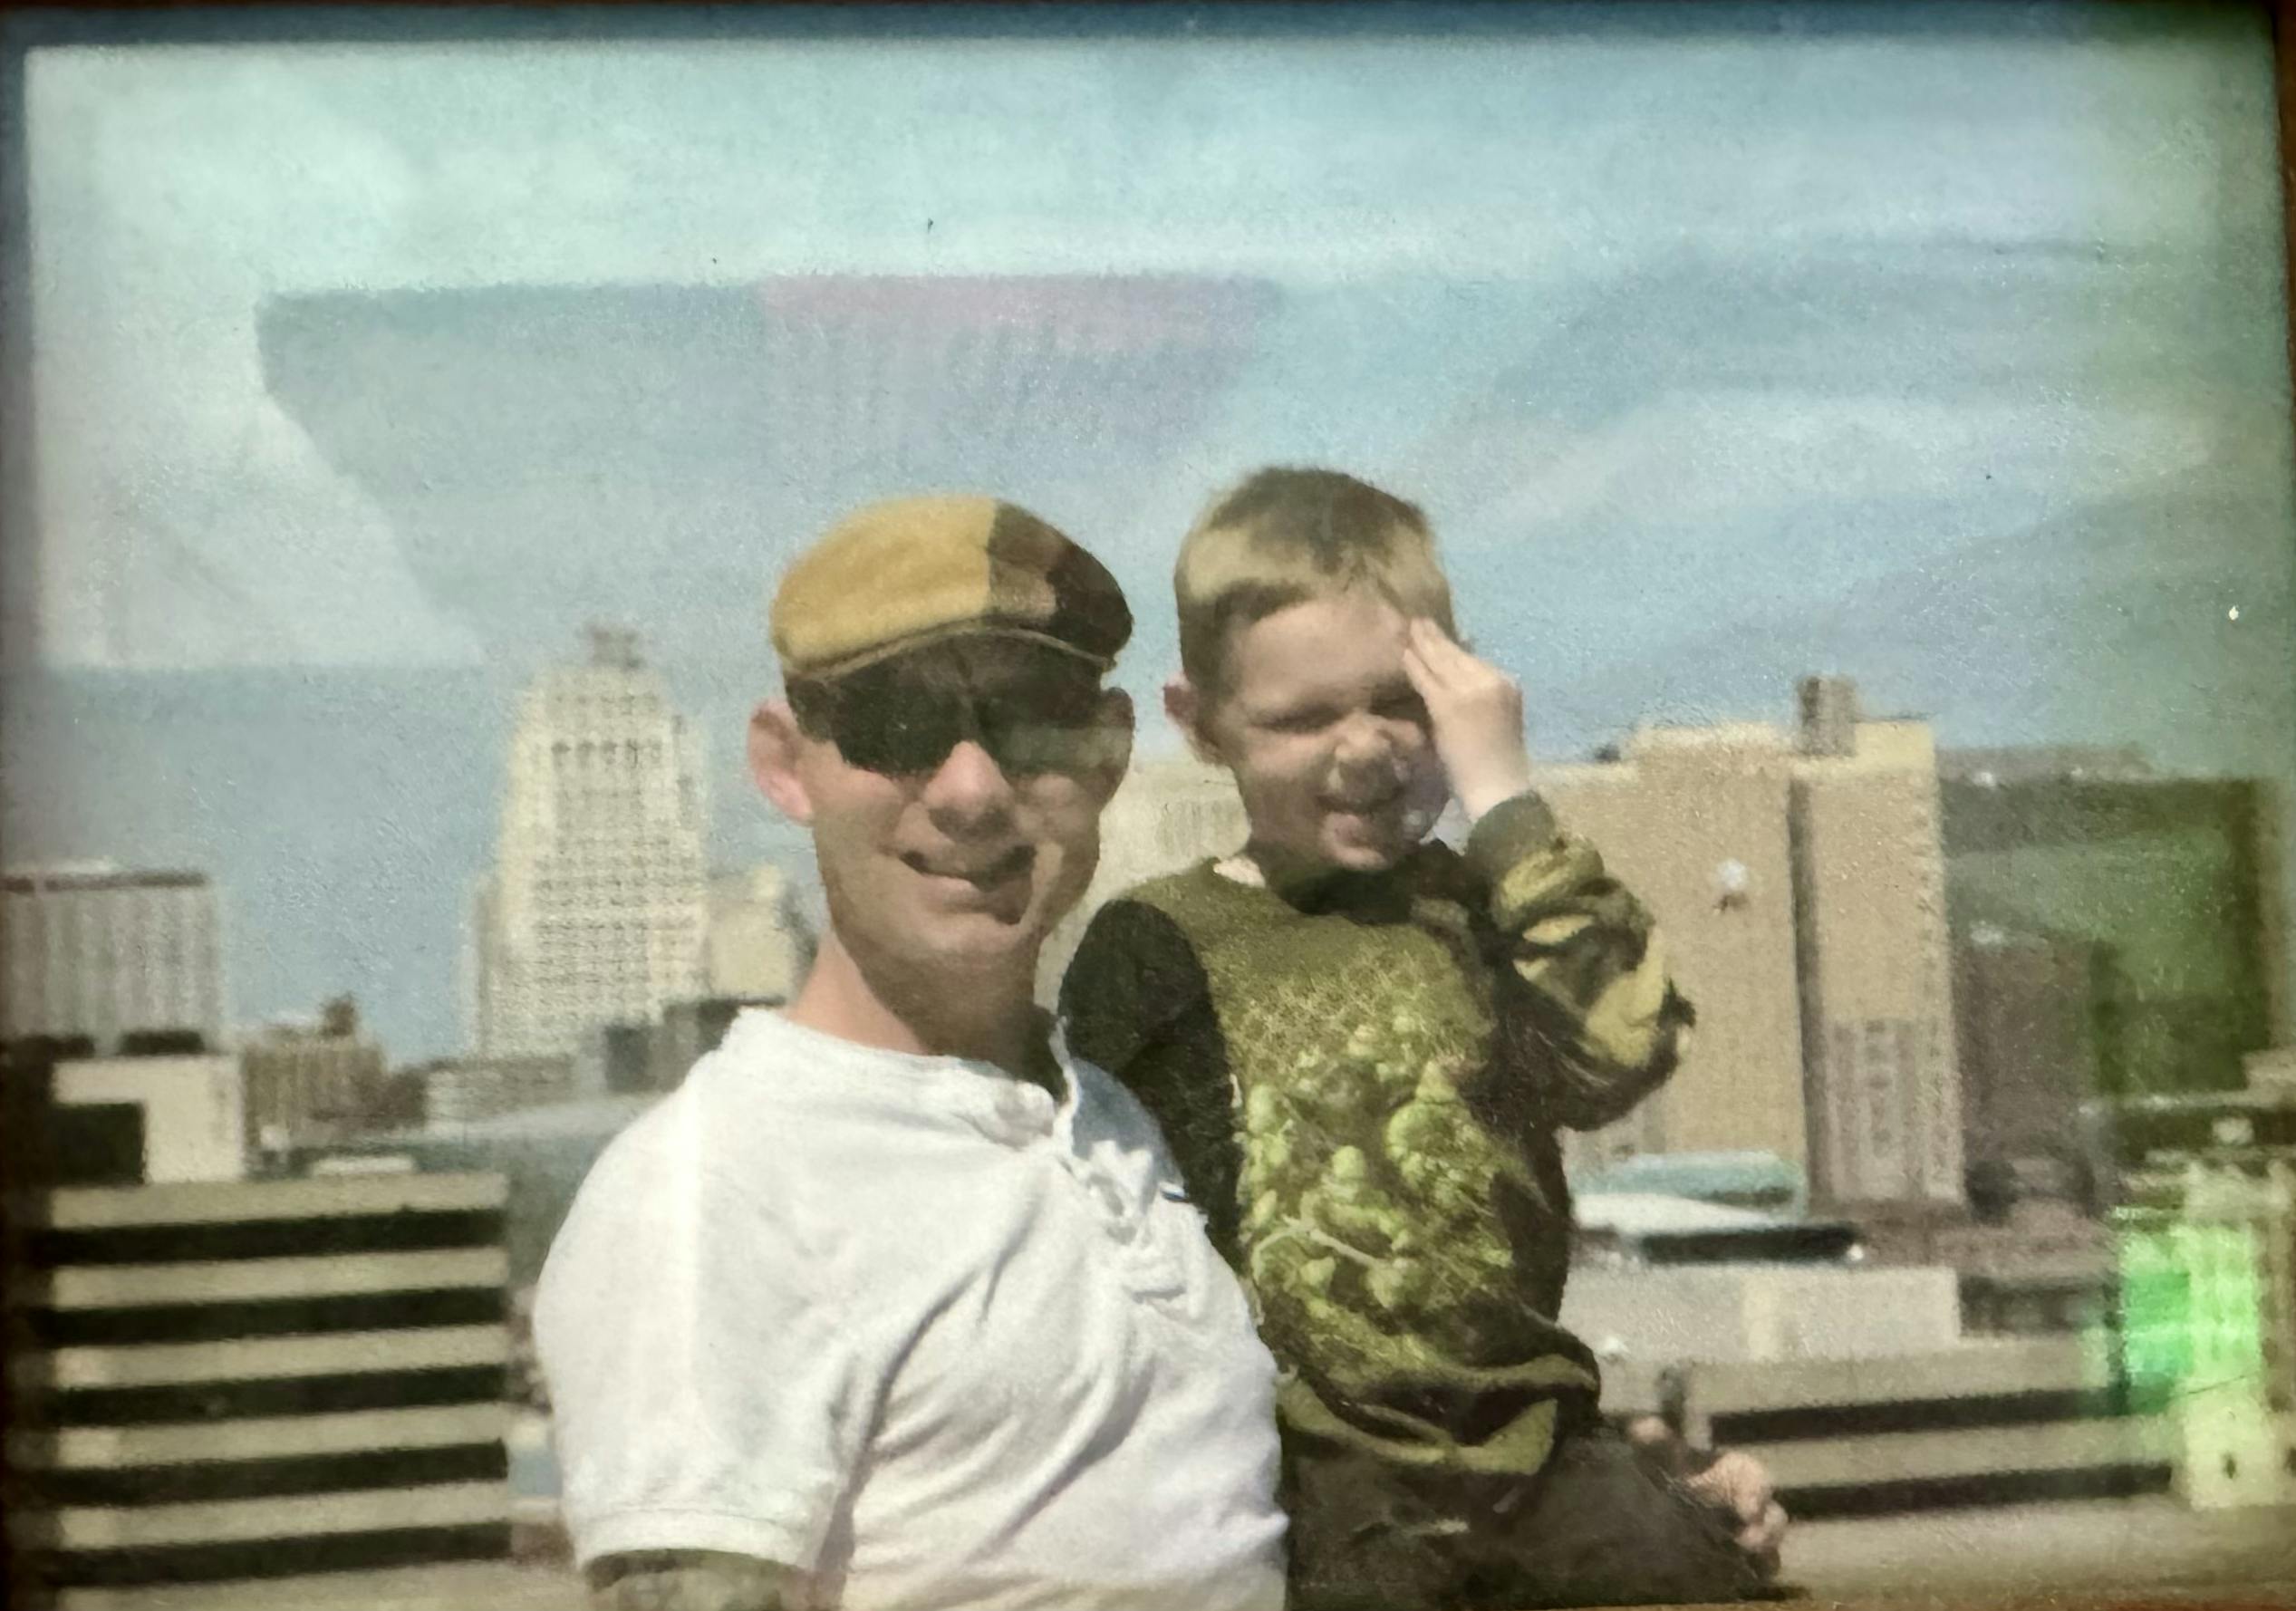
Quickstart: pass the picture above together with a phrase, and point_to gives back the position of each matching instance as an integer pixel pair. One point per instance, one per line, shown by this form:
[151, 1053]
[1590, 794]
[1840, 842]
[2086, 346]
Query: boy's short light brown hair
[1289, 536]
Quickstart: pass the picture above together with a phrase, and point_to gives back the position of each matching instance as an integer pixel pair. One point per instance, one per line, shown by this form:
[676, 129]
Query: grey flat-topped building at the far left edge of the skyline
[104, 951]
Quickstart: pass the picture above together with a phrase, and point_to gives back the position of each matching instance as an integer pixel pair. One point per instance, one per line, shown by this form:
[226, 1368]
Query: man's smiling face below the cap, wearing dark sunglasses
[954, 797]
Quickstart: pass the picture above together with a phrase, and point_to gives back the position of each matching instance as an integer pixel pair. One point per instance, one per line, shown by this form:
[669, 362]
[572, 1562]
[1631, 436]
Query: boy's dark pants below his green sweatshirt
[1599, 1527]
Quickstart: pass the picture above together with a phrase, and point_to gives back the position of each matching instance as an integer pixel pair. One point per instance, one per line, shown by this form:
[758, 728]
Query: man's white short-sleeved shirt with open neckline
[917, 1330]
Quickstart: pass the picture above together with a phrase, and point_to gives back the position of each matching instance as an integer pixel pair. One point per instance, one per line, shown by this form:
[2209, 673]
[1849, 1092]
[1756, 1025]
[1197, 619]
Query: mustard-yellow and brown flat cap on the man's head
[915, 570]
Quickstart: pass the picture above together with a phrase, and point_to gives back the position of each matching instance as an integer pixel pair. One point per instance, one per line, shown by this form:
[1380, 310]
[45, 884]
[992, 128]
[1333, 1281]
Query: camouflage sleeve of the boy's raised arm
[1599, 999]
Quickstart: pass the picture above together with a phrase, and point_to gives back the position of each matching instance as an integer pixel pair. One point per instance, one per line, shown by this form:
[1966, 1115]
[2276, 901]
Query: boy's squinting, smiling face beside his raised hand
[1326, 736]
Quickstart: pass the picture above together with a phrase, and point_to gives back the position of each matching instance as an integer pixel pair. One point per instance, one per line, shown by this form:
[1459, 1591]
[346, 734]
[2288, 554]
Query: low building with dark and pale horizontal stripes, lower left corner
[258, 1378]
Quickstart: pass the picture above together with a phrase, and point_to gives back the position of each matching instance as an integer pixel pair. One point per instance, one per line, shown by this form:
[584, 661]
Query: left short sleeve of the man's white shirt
[704, 1394]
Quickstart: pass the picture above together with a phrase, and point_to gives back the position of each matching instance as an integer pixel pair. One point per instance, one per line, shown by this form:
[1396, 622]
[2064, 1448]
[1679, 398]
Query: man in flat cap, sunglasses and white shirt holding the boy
[892, 1305]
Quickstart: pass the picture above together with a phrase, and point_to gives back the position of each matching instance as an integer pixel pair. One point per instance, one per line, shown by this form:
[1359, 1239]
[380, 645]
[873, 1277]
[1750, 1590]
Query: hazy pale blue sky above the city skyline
[1944, 350]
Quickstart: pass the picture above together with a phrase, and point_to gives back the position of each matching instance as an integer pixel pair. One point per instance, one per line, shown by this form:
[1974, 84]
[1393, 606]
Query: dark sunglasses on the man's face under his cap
[910, 726]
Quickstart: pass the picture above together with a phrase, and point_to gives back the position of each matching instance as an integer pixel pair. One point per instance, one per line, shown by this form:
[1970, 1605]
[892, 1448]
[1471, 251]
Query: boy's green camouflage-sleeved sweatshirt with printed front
[1363, 1082]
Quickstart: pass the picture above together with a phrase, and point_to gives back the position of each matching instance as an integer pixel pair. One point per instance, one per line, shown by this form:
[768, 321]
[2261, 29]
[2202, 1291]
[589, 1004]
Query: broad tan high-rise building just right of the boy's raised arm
[1799, 882]
